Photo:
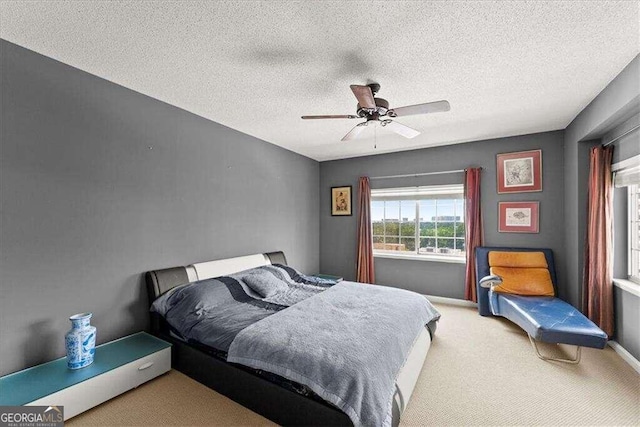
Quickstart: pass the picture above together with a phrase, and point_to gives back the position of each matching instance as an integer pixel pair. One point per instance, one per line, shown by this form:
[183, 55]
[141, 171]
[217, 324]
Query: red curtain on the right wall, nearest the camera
[597, 294]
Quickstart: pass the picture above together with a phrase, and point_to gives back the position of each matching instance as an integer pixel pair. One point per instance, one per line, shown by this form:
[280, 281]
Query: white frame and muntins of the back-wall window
[420, 193]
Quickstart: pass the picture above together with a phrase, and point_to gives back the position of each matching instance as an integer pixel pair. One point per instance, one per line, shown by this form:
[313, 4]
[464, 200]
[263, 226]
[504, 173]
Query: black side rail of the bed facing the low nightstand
[251, 391]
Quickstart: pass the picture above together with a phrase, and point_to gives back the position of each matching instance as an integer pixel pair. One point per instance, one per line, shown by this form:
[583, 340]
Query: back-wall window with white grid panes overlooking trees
[422, 222]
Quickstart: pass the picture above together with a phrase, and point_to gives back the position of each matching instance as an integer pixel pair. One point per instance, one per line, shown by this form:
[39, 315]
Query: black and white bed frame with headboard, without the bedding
[242, 384]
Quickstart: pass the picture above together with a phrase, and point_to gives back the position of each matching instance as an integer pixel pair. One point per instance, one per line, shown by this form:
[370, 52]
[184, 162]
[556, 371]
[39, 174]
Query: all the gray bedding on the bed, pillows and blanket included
[326, 336]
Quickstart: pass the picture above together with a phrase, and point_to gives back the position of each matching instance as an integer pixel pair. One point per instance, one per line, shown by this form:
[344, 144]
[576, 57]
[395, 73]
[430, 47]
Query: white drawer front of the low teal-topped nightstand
[87, 394]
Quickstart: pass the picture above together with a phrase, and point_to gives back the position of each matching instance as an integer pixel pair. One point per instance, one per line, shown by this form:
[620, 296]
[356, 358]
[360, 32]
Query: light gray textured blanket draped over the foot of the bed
[347, 344]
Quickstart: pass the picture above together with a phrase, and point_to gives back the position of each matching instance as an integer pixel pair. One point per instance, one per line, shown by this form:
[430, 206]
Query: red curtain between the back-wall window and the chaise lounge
[473, 231]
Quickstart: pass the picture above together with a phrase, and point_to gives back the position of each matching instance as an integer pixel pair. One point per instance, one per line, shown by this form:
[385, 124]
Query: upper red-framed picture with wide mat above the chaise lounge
[520, 172]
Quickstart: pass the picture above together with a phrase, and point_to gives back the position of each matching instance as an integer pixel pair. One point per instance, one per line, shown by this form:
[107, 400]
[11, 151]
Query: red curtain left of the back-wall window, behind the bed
[364, 265]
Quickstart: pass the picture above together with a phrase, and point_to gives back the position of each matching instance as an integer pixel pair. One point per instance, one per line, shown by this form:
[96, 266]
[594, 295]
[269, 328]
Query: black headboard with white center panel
[161, 281]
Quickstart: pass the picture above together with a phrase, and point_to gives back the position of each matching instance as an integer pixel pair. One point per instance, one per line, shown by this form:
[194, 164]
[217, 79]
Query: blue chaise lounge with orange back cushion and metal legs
[520, 284]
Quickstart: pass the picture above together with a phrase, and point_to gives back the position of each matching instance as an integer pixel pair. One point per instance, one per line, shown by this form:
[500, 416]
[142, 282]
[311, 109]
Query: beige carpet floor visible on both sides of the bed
[479, 371]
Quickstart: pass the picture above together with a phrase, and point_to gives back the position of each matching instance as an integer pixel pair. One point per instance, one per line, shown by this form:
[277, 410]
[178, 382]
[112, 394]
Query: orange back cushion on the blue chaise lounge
[523, 273]
